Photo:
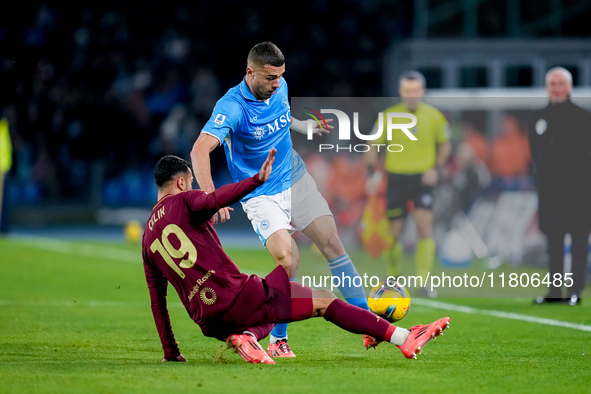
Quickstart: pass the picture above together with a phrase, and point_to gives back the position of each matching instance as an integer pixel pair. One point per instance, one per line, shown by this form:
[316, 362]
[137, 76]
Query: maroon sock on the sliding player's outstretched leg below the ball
[359, 321]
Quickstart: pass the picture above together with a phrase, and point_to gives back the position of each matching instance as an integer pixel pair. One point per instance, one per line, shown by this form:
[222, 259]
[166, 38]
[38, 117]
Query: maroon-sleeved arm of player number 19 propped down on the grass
[157, 285]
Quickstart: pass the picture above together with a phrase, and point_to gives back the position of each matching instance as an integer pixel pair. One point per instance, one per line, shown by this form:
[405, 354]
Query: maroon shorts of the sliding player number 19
[273, 299]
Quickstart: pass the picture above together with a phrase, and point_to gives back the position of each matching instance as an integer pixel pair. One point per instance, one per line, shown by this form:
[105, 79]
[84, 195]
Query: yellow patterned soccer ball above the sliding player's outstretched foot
[389, 300]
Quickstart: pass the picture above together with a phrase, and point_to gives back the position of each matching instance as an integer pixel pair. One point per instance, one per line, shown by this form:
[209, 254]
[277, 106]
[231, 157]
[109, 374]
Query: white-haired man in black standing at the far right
[560, 139]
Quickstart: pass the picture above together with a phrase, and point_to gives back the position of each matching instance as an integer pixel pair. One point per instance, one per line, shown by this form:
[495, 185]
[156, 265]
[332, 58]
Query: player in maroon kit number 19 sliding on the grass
[180, 246]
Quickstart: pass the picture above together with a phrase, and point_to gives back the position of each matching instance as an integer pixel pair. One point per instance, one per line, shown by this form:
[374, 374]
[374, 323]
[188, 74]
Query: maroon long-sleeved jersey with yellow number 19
[180, 246]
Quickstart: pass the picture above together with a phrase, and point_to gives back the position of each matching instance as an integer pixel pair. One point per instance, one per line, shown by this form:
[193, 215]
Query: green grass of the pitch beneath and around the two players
[75, 317]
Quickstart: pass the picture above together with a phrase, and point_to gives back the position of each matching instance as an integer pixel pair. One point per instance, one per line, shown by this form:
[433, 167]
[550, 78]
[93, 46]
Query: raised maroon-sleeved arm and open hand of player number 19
[208, 204]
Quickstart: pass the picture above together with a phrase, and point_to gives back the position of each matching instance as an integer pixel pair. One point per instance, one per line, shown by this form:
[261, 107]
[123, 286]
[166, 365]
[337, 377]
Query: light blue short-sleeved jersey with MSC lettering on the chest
[249, 128]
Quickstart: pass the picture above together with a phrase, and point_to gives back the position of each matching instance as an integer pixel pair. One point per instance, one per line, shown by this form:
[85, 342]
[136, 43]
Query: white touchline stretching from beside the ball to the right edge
[500, 314]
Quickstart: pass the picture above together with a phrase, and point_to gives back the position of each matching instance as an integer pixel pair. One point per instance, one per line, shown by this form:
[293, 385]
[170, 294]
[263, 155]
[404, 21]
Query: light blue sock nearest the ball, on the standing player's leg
[342, 267]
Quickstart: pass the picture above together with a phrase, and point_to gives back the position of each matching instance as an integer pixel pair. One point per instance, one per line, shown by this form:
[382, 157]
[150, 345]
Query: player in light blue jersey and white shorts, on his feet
[249, 120]
